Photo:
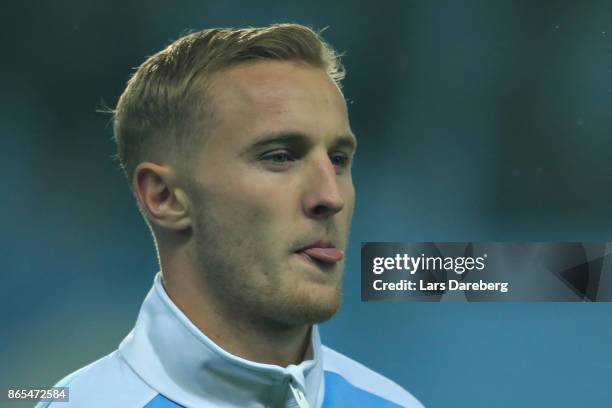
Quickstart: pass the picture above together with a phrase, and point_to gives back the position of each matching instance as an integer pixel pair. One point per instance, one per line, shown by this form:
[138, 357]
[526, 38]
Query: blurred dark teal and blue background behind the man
[477, 120]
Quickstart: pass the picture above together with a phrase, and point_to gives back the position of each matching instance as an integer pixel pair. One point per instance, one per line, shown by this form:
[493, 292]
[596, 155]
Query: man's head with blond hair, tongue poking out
[238, 147]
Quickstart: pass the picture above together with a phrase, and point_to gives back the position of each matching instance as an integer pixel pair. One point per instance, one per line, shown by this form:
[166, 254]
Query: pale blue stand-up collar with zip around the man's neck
[177, 360]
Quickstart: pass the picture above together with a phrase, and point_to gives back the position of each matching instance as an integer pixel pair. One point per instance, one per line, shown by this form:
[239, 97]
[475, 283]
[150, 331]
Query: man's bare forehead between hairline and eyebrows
[275, 96]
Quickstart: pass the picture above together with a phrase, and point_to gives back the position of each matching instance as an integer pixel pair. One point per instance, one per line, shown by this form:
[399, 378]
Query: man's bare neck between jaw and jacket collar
[235, 331]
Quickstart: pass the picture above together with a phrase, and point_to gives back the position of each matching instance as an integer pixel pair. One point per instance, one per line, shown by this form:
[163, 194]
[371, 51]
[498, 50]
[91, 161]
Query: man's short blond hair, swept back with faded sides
[163, 108]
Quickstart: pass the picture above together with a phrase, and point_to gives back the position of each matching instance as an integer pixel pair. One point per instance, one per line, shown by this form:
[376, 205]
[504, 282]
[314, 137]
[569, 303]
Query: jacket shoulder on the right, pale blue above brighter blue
[347, 379]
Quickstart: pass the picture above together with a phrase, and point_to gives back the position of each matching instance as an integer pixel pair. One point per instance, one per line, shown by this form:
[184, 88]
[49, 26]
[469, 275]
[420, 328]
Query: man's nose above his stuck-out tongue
[322, 197]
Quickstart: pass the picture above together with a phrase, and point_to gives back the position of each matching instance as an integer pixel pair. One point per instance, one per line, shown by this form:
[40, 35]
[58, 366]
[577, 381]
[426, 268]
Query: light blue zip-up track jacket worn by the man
[166, 361]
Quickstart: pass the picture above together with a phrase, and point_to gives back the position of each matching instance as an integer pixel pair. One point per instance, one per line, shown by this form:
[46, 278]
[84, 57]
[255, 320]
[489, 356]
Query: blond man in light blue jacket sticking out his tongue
[238, 148]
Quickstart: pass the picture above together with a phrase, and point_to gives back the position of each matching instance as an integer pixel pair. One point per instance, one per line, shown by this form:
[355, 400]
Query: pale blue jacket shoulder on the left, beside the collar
[107, 382]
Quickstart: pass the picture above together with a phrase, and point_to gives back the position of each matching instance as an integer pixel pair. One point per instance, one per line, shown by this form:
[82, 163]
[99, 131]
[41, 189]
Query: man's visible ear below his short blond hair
[163, 202]
